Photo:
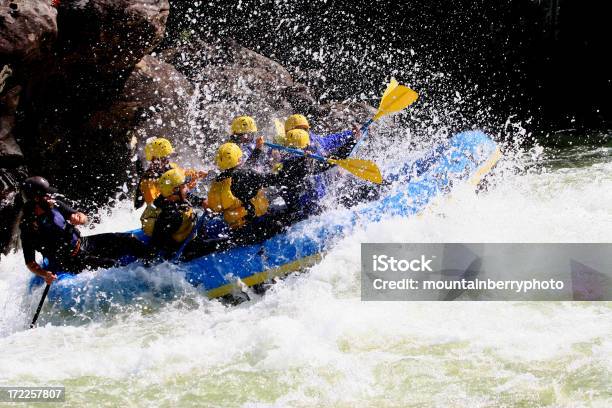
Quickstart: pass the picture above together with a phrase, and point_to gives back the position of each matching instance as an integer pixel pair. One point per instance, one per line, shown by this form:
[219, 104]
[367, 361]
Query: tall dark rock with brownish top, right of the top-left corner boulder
[73, 126]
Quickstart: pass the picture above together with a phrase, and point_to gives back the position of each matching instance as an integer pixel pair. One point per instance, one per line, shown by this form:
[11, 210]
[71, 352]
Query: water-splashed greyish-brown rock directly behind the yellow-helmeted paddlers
[232, 81]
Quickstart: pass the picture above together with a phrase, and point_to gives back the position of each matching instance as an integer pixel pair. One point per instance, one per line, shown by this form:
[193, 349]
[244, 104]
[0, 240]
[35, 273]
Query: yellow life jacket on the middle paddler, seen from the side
[221, 199]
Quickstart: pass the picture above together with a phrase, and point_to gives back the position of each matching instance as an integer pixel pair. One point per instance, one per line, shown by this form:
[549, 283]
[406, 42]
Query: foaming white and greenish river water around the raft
[310, 341]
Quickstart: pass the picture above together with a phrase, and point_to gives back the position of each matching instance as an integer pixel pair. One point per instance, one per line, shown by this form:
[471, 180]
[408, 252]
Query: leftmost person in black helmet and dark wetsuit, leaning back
[48, 226]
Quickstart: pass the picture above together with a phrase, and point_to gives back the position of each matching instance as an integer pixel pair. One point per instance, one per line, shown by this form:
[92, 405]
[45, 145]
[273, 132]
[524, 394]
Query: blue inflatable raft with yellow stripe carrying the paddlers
[466, 157]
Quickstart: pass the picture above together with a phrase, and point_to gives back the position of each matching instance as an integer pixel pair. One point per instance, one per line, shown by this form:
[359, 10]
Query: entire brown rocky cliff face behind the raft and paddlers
[81, 90]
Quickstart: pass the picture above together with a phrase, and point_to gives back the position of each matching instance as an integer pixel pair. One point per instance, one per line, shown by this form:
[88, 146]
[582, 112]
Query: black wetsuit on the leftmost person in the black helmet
[61, 243]
